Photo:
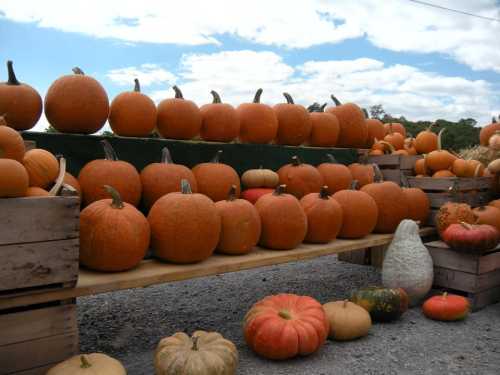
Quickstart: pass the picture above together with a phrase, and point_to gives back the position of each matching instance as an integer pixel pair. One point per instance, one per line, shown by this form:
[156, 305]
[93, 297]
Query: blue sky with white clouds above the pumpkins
[416, 61]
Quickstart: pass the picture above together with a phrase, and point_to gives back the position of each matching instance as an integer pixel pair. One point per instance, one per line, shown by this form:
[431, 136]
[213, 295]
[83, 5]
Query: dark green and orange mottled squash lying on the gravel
[383, 304]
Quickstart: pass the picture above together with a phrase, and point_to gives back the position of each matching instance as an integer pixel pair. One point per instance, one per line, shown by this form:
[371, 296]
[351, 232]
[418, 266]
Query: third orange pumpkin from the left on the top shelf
[132, 114]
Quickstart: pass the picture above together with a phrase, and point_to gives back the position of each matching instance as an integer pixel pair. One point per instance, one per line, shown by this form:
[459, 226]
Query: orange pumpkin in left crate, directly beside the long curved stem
[42, 167]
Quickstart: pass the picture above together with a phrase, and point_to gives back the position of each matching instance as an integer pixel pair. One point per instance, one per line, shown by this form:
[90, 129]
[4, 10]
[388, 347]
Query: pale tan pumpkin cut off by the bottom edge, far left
[85, 364]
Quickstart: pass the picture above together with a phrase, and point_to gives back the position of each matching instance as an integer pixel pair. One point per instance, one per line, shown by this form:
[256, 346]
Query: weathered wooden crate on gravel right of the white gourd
[476, 276]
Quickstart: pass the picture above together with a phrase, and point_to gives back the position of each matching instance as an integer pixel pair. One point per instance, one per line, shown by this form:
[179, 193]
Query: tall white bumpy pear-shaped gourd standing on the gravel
[407, 263]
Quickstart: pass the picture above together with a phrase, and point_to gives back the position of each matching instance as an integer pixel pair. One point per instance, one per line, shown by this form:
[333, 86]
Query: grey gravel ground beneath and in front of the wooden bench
[129, 324]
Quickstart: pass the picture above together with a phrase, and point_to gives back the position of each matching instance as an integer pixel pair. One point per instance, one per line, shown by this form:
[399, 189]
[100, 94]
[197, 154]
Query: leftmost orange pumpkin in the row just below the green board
[113, 172]
